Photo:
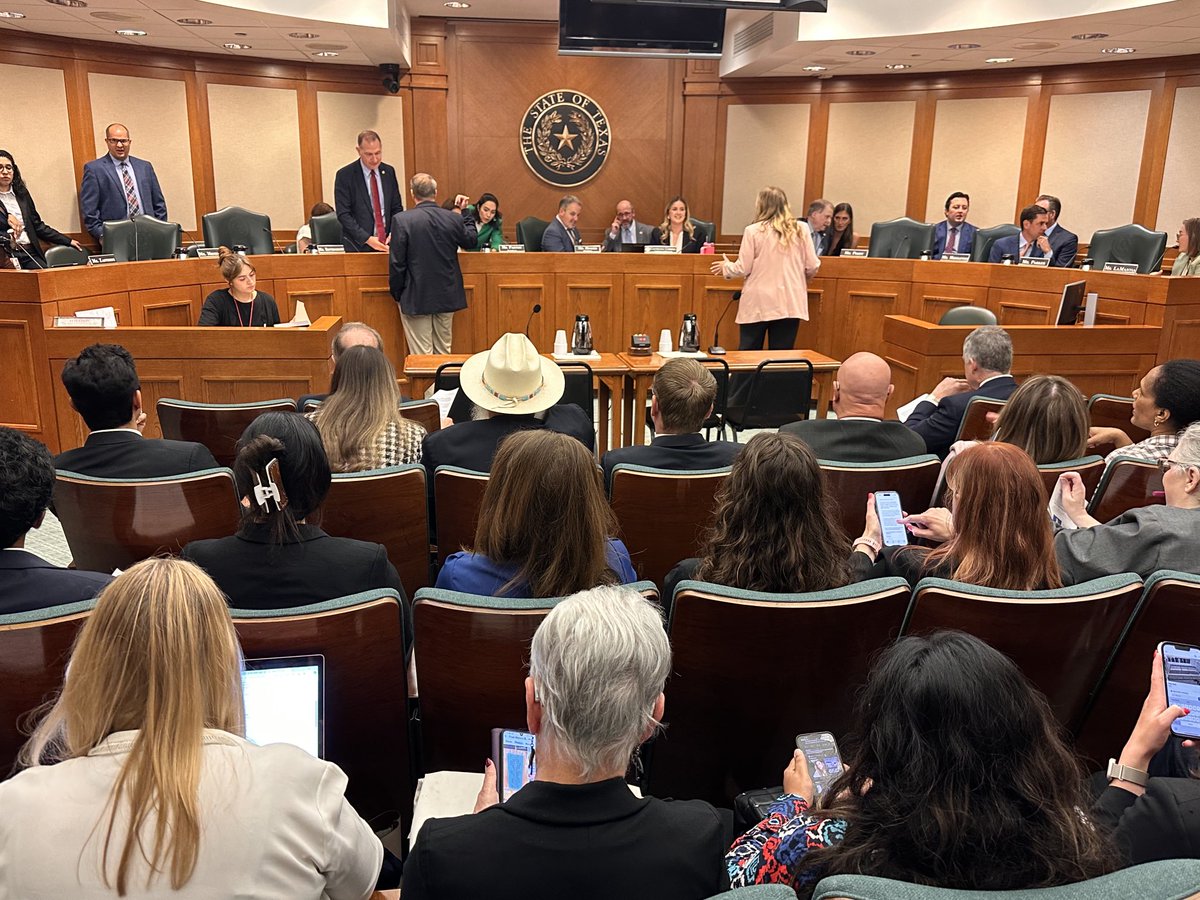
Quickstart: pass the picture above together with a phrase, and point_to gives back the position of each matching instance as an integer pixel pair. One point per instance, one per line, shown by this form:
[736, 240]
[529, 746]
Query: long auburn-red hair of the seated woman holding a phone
[1003, 533]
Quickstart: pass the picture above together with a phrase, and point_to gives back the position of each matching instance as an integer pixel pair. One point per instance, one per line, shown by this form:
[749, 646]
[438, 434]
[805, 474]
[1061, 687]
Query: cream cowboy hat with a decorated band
[512, 379]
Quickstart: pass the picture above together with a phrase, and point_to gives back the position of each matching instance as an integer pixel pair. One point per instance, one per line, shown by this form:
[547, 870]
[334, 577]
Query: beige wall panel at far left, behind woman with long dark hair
[43, 99]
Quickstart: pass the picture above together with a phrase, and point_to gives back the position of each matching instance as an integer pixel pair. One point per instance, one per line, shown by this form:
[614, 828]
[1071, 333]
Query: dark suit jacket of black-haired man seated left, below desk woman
[127, 454]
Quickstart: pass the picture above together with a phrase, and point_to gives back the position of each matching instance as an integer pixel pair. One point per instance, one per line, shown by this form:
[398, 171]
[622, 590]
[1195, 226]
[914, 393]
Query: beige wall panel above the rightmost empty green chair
[1093, 158]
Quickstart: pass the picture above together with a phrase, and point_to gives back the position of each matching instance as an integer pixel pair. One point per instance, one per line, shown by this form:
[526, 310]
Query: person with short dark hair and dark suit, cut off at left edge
[27, 484]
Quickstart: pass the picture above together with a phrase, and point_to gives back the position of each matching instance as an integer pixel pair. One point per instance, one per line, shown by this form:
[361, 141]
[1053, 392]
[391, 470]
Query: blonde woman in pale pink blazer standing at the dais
[777, 260]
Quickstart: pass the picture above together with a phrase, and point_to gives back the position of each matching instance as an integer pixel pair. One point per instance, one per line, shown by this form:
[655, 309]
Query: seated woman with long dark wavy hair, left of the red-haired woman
[775, 526]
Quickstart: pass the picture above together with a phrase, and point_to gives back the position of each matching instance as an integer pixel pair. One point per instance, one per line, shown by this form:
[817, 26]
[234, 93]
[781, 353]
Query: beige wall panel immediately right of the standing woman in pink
[868, 158]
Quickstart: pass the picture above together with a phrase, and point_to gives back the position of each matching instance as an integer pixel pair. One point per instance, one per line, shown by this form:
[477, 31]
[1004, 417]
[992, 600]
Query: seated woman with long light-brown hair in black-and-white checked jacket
[361, 423]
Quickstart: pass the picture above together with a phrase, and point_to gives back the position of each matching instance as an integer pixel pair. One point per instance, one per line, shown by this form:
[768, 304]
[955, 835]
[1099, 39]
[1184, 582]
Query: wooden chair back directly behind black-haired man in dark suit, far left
[112, 524]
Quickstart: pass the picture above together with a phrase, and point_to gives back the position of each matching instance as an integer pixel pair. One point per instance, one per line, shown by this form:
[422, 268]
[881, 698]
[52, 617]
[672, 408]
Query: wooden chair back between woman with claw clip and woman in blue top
[388, 507]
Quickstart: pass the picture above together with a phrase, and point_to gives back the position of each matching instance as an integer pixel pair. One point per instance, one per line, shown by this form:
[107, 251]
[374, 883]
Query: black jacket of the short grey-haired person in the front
[583, 842]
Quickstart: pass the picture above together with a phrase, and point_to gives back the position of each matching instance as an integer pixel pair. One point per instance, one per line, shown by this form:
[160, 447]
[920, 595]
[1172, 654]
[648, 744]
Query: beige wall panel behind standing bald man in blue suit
[155, 112]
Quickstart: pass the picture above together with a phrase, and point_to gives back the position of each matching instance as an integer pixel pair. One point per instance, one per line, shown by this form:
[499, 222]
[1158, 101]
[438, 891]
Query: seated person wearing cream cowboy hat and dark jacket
[513, 388]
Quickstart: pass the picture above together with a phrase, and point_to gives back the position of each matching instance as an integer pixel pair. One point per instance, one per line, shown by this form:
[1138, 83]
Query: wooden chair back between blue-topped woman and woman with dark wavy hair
[663, 515]
